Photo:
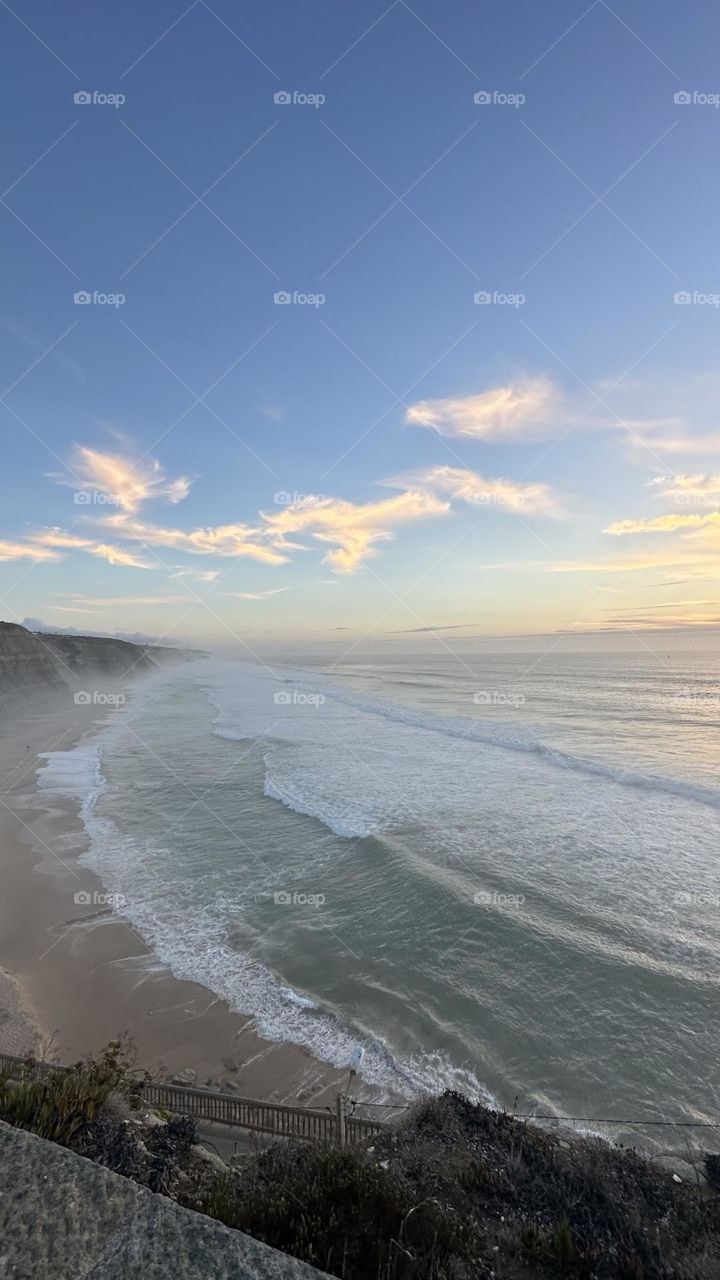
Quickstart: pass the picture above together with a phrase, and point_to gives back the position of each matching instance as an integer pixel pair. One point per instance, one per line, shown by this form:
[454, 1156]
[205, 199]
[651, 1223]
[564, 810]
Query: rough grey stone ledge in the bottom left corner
[62, 1218]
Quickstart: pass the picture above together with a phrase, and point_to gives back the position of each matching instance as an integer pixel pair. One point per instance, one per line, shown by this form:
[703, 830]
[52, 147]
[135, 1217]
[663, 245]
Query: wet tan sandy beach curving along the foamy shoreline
[74, 976]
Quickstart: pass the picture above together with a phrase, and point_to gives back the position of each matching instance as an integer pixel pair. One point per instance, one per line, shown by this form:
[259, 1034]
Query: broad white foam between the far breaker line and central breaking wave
[362, 766]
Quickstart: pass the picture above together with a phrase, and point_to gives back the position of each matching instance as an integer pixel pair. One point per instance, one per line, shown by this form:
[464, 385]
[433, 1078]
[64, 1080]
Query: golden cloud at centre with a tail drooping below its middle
[353, 529]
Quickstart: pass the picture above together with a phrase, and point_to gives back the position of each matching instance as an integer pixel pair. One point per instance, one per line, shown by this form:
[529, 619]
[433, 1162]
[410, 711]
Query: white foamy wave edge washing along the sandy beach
[192, 940]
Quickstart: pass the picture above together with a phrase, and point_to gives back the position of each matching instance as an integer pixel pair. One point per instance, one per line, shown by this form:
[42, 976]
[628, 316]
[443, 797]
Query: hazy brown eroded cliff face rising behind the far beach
[39, 666]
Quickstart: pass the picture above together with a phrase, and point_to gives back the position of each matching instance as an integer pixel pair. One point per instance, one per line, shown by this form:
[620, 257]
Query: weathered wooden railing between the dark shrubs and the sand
[276, 1118]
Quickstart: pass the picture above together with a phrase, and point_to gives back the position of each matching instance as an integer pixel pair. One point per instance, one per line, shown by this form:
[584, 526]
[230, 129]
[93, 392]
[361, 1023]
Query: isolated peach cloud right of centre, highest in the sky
[523, 412]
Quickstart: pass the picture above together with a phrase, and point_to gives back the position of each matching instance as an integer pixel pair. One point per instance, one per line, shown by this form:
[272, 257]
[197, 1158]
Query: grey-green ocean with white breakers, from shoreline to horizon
[496, 875]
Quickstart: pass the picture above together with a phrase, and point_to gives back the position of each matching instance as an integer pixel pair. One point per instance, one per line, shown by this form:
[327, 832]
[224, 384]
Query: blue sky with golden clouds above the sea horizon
[361, 323]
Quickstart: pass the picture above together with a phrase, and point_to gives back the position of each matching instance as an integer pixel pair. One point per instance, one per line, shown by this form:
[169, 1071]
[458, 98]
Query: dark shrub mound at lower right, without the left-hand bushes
[458, 1191]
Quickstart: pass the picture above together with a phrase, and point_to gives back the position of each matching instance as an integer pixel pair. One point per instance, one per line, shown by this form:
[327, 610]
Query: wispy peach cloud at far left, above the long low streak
[127, 483]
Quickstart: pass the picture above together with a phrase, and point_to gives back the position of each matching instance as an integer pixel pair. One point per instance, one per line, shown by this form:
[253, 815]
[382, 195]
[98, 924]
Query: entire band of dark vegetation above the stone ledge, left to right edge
[454, 1192]
